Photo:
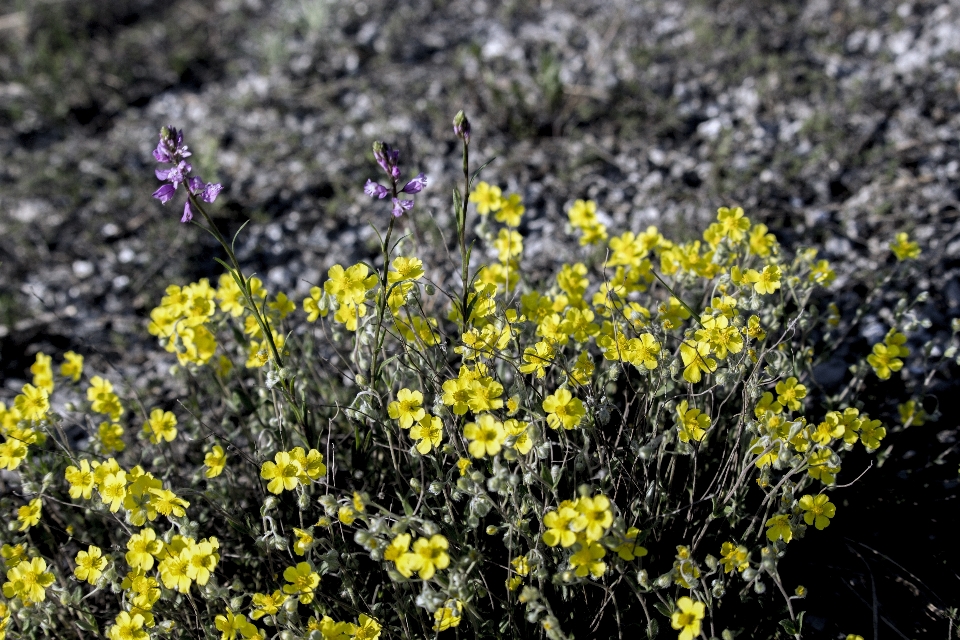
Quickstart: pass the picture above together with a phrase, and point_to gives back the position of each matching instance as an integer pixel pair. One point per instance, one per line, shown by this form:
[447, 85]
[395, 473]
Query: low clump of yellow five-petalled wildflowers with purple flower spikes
[616, 448]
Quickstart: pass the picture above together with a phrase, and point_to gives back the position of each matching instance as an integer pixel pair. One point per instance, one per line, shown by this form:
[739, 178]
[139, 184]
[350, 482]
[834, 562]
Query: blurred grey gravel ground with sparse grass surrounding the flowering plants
[834, 122]
